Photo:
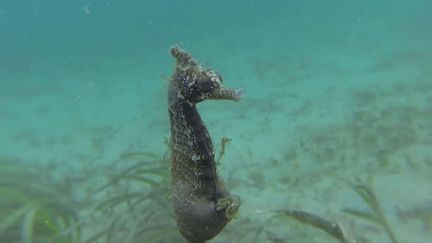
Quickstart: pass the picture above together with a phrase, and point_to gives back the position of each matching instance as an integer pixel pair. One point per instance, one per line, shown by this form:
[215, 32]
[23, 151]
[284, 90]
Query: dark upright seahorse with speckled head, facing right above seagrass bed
[202, 205]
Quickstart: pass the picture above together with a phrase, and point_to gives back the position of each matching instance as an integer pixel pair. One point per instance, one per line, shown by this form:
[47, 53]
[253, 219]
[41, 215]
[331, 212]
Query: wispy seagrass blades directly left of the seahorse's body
[133, 202]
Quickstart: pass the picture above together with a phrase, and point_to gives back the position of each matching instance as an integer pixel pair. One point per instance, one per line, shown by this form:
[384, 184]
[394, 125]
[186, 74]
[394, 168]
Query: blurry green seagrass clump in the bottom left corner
[32, 209]
